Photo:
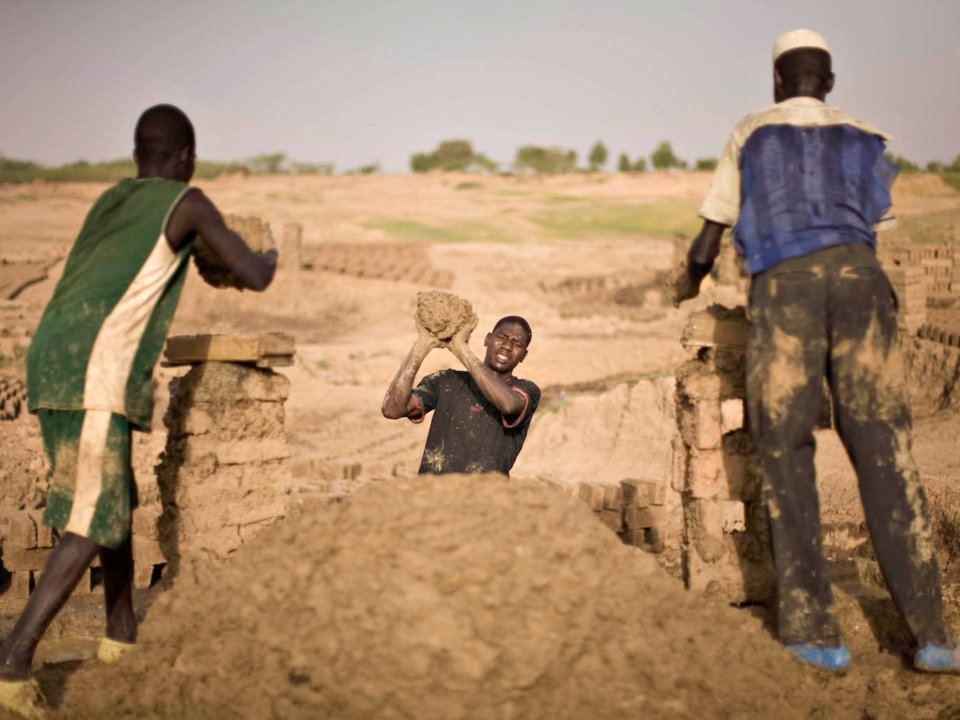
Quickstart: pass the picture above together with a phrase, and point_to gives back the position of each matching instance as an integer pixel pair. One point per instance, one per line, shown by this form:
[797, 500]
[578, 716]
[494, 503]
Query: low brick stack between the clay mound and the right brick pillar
[631, 508]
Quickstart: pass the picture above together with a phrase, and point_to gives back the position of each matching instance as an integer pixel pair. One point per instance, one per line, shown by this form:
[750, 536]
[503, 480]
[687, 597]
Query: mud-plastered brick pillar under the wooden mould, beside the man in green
[224, 474]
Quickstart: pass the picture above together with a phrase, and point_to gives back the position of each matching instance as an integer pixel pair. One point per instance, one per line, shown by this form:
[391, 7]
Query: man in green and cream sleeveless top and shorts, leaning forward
[89, 377]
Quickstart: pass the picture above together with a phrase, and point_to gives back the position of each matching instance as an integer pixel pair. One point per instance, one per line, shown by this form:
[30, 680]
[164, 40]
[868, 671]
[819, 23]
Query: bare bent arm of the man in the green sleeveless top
[196, 215]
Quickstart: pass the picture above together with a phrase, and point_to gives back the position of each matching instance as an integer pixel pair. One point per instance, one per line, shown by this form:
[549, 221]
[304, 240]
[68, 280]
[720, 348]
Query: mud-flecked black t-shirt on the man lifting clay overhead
[468, 434]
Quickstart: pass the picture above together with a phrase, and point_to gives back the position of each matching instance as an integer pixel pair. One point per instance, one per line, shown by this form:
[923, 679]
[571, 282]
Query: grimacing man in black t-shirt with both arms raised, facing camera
[481, 414]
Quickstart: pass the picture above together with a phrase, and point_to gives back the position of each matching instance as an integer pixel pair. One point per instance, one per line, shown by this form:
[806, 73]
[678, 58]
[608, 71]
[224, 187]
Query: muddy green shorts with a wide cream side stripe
[92, 491]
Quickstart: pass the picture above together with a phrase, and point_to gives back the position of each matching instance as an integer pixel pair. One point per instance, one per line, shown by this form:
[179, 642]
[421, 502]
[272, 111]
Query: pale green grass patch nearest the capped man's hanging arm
[661, 219]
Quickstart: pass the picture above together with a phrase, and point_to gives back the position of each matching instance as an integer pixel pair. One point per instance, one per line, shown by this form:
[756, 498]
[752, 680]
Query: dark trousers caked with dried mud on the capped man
[833, 314]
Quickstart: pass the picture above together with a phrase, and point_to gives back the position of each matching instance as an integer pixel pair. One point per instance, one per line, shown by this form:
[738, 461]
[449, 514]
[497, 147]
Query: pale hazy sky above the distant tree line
[358, 81]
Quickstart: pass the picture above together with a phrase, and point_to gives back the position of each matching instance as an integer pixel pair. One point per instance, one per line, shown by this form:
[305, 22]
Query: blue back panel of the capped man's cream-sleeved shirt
[809, 188]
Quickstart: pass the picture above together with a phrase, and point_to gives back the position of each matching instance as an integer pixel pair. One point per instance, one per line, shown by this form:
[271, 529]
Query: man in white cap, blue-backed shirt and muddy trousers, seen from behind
[805, 185]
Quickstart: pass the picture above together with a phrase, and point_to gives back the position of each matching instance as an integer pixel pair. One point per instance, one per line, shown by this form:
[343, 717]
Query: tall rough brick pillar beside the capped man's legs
[725, 548]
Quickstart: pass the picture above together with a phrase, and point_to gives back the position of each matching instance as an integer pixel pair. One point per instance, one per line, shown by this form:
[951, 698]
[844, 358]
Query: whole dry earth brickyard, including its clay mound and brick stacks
[291, 565]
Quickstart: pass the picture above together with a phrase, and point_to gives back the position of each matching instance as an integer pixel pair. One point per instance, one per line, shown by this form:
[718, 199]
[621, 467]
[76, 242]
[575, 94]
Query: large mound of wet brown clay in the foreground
[443, 597]
